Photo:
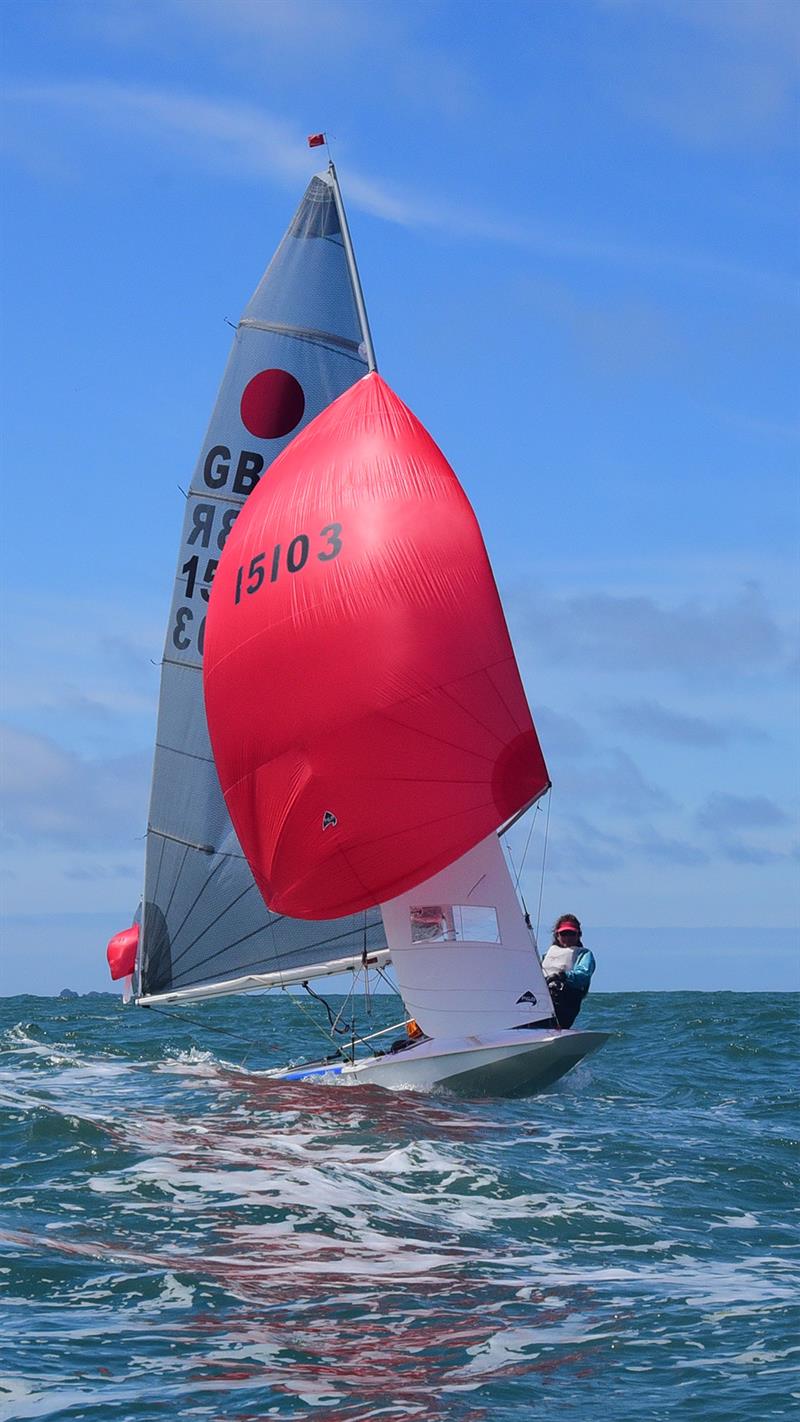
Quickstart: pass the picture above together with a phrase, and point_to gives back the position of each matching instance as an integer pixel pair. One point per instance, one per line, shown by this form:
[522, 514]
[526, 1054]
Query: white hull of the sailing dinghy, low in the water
[511, 1064]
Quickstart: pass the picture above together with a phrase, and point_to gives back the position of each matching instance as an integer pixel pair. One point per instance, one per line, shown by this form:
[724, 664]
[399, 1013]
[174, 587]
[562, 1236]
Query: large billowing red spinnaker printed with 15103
[366, 710]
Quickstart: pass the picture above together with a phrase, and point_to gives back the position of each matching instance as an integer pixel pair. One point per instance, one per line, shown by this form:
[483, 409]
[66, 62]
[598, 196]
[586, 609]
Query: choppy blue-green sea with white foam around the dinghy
[185, 1238]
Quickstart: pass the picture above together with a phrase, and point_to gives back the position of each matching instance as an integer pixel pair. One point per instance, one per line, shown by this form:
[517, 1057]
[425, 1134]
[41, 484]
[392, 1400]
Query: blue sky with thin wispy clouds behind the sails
[576, 224]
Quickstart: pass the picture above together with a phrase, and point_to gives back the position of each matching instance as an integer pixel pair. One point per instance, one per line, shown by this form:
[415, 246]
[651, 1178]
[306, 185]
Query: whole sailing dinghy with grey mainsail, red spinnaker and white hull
[335, 803]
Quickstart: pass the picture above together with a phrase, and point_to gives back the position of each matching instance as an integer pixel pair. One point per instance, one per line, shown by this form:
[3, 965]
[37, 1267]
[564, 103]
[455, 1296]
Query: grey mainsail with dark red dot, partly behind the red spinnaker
[299, 345]
